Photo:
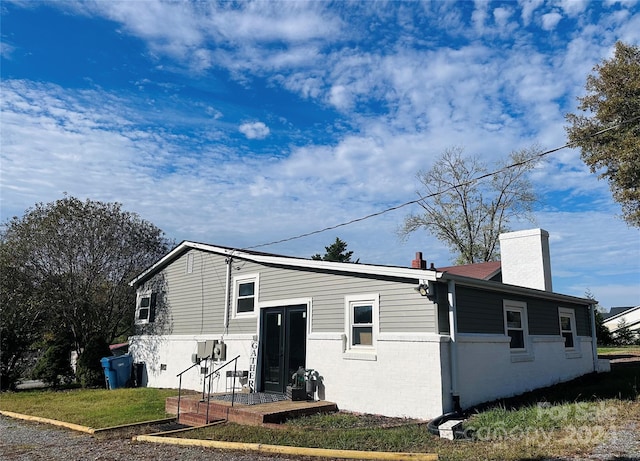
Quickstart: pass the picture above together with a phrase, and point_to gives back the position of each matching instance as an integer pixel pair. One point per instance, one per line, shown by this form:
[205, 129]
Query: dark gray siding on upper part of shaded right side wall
[481, 311]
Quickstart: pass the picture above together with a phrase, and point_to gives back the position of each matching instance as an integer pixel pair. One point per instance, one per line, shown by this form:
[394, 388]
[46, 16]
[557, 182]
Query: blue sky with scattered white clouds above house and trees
[243, 123]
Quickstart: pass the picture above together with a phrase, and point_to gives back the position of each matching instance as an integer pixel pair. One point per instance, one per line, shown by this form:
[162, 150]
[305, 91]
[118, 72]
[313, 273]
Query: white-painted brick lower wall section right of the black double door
[405, 380]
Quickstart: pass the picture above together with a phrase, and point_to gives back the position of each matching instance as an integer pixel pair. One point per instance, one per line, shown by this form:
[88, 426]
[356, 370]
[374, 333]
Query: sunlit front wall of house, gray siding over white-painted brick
[402, 376]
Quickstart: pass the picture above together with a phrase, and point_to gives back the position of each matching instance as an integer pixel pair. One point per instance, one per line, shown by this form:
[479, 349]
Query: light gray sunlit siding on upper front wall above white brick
[194, 302]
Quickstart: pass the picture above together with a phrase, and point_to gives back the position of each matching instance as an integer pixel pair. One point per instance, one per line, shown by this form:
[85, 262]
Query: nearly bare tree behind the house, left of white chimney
[467, 214]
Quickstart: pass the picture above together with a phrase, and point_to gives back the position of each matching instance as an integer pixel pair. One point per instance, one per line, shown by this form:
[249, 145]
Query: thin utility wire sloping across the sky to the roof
[422, 198]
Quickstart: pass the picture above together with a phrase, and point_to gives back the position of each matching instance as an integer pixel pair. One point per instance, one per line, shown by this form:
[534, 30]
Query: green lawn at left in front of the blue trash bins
[97, 408]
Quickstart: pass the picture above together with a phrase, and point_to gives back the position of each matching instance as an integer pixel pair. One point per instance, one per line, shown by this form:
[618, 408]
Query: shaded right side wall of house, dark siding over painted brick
[489, 369]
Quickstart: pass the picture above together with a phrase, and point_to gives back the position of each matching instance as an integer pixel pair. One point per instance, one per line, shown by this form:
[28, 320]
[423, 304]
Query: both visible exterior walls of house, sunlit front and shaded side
[407, 371]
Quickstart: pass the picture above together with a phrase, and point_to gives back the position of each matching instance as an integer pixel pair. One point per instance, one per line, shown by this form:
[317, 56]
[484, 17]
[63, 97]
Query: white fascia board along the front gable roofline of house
[420, 275]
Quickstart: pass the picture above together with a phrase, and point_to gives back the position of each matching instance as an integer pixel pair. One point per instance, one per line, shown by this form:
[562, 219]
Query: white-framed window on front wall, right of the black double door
[361, 321]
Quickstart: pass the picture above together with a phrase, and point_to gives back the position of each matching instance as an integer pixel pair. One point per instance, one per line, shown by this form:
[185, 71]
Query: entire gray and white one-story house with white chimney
[398, 341]
